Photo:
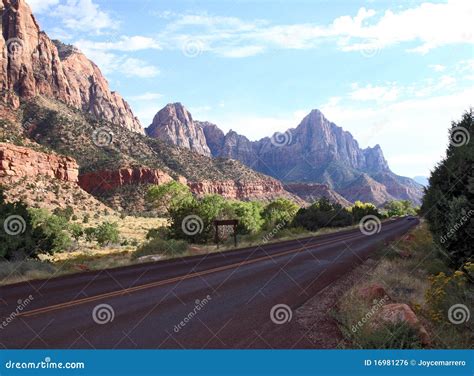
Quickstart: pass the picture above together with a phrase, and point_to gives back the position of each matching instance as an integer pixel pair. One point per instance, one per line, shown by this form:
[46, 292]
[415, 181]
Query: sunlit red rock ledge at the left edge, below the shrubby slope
[17, 162]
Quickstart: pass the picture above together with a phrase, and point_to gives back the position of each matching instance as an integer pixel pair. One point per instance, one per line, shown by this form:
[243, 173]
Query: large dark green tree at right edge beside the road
[448, 204]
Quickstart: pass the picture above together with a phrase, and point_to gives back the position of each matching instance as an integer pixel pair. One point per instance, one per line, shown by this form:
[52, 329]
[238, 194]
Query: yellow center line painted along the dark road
[112, 294]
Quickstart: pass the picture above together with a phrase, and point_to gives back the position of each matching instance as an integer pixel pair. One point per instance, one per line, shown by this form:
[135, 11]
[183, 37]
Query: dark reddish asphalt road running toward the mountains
[221, 300]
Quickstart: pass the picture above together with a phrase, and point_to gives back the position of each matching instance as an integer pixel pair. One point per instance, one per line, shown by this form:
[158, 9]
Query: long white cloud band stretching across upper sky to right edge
[428, 26]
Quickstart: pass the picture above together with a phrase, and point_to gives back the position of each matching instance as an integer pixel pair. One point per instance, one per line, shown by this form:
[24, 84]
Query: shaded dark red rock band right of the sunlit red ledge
[102, 181]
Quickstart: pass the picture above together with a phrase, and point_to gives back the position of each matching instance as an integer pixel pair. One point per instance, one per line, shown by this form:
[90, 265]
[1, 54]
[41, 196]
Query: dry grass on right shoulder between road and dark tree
[403, 268]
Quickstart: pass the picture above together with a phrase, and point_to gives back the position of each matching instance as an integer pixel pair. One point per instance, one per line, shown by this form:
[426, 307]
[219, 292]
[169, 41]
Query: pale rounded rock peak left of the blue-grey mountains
[175, 125]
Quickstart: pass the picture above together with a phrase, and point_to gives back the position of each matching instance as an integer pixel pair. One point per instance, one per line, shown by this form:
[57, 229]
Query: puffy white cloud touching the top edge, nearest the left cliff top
[83, 16]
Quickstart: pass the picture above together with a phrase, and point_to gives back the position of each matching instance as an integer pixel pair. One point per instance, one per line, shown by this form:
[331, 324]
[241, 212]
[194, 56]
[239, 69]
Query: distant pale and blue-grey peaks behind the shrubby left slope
[317, 151]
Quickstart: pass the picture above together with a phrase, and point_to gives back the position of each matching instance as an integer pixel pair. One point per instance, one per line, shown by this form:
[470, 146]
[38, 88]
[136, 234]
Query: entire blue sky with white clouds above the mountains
[394, 73]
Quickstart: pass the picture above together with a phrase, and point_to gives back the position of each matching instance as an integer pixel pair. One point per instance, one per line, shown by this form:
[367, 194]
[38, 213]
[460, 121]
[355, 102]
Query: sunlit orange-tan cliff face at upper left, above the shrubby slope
[31, 65]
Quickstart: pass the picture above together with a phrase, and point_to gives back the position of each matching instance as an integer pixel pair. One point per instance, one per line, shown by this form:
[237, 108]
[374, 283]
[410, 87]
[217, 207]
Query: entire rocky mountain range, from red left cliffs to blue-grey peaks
[57, 108]
